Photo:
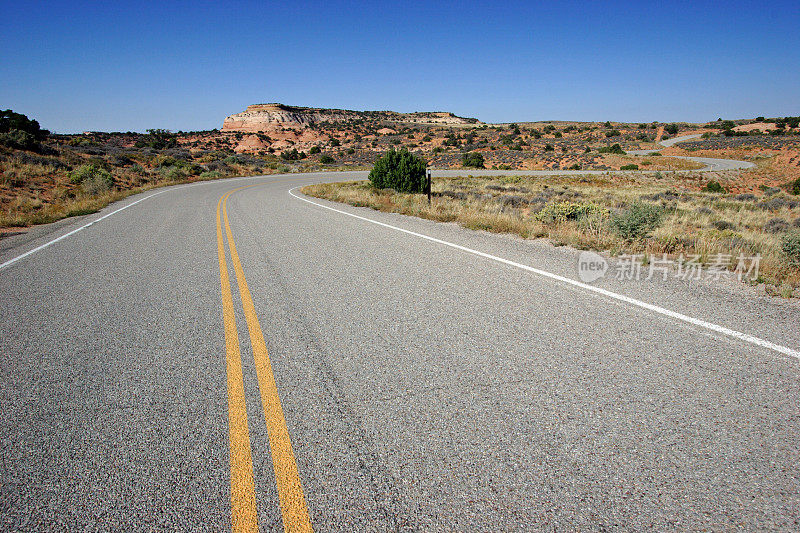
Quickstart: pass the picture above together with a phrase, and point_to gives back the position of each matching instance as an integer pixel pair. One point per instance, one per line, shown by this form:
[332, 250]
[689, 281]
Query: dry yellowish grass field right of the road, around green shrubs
[694, 222]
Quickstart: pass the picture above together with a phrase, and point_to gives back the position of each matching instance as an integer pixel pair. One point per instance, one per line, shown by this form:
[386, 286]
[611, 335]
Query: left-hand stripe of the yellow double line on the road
[243, 498]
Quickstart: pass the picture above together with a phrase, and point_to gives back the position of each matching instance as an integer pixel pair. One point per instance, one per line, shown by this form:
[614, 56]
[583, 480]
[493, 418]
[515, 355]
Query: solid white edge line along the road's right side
[650, 307]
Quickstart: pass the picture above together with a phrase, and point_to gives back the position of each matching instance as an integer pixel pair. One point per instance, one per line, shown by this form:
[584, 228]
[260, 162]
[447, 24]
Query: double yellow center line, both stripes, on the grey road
[244, 516]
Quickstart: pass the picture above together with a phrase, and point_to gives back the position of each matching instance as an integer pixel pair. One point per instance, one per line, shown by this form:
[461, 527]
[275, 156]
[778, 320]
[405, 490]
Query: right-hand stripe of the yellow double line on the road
[290, 493]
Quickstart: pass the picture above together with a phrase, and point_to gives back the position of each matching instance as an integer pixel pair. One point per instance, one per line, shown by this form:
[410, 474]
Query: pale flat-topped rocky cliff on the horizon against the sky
[265, 117]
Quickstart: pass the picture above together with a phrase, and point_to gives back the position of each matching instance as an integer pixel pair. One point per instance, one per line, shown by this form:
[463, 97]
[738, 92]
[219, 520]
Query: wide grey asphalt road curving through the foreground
[424, 377]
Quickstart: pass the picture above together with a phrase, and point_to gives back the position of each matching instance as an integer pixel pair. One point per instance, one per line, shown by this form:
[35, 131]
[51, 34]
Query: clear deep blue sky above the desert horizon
[119, 66]
